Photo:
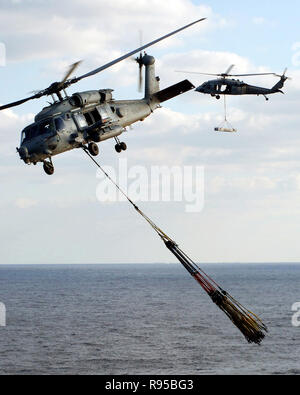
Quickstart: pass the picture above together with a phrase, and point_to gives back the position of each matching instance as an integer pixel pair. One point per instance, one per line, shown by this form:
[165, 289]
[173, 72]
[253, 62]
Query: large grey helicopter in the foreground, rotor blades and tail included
[87, 118]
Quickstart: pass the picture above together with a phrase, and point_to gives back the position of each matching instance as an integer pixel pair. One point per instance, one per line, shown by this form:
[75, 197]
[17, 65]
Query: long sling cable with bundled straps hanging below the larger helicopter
[247, 322]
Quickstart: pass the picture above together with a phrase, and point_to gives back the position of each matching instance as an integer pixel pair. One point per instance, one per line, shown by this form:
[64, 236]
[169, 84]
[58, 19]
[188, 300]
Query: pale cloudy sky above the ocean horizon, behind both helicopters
[251, 187]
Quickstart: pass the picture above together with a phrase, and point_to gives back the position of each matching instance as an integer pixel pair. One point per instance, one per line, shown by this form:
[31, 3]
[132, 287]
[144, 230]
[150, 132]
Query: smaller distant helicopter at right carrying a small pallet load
[226, 86]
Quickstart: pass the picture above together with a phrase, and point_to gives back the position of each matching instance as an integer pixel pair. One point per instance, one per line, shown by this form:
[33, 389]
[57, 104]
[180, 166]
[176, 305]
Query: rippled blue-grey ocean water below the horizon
[144, 319]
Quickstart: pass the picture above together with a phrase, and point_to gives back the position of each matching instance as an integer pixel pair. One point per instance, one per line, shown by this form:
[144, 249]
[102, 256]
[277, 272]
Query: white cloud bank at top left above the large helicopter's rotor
[35, 30]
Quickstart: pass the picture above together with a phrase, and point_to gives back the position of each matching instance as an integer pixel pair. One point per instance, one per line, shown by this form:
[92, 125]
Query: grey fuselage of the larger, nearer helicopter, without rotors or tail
[85, 117]
